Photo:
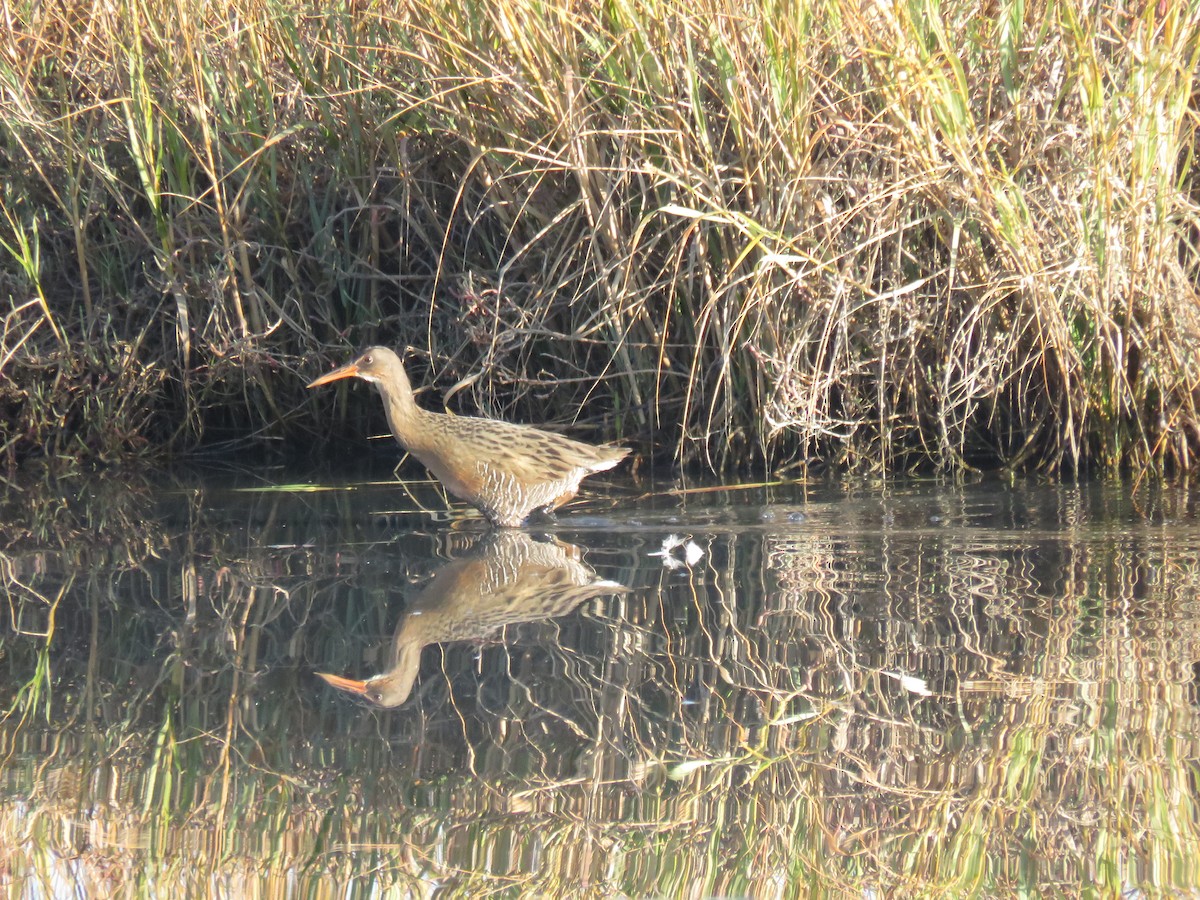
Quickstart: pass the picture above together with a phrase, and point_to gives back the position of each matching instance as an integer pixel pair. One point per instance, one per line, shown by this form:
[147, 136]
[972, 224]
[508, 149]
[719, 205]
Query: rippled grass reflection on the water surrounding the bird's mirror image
[712, 734]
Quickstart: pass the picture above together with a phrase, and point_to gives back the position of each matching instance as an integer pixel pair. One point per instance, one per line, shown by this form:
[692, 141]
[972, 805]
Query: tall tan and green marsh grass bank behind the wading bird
[772, 233]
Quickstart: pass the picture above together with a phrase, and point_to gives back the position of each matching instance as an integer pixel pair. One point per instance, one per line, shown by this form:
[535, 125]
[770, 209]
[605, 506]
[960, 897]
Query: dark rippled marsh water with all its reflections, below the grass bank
[670, 691]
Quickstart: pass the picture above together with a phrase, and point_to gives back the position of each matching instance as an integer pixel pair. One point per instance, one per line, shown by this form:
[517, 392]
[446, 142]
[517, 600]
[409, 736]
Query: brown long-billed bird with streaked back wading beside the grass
[507, 471]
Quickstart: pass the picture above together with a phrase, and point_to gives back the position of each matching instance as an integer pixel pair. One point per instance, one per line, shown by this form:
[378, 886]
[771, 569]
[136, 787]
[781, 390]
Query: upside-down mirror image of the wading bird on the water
[505, 580]
